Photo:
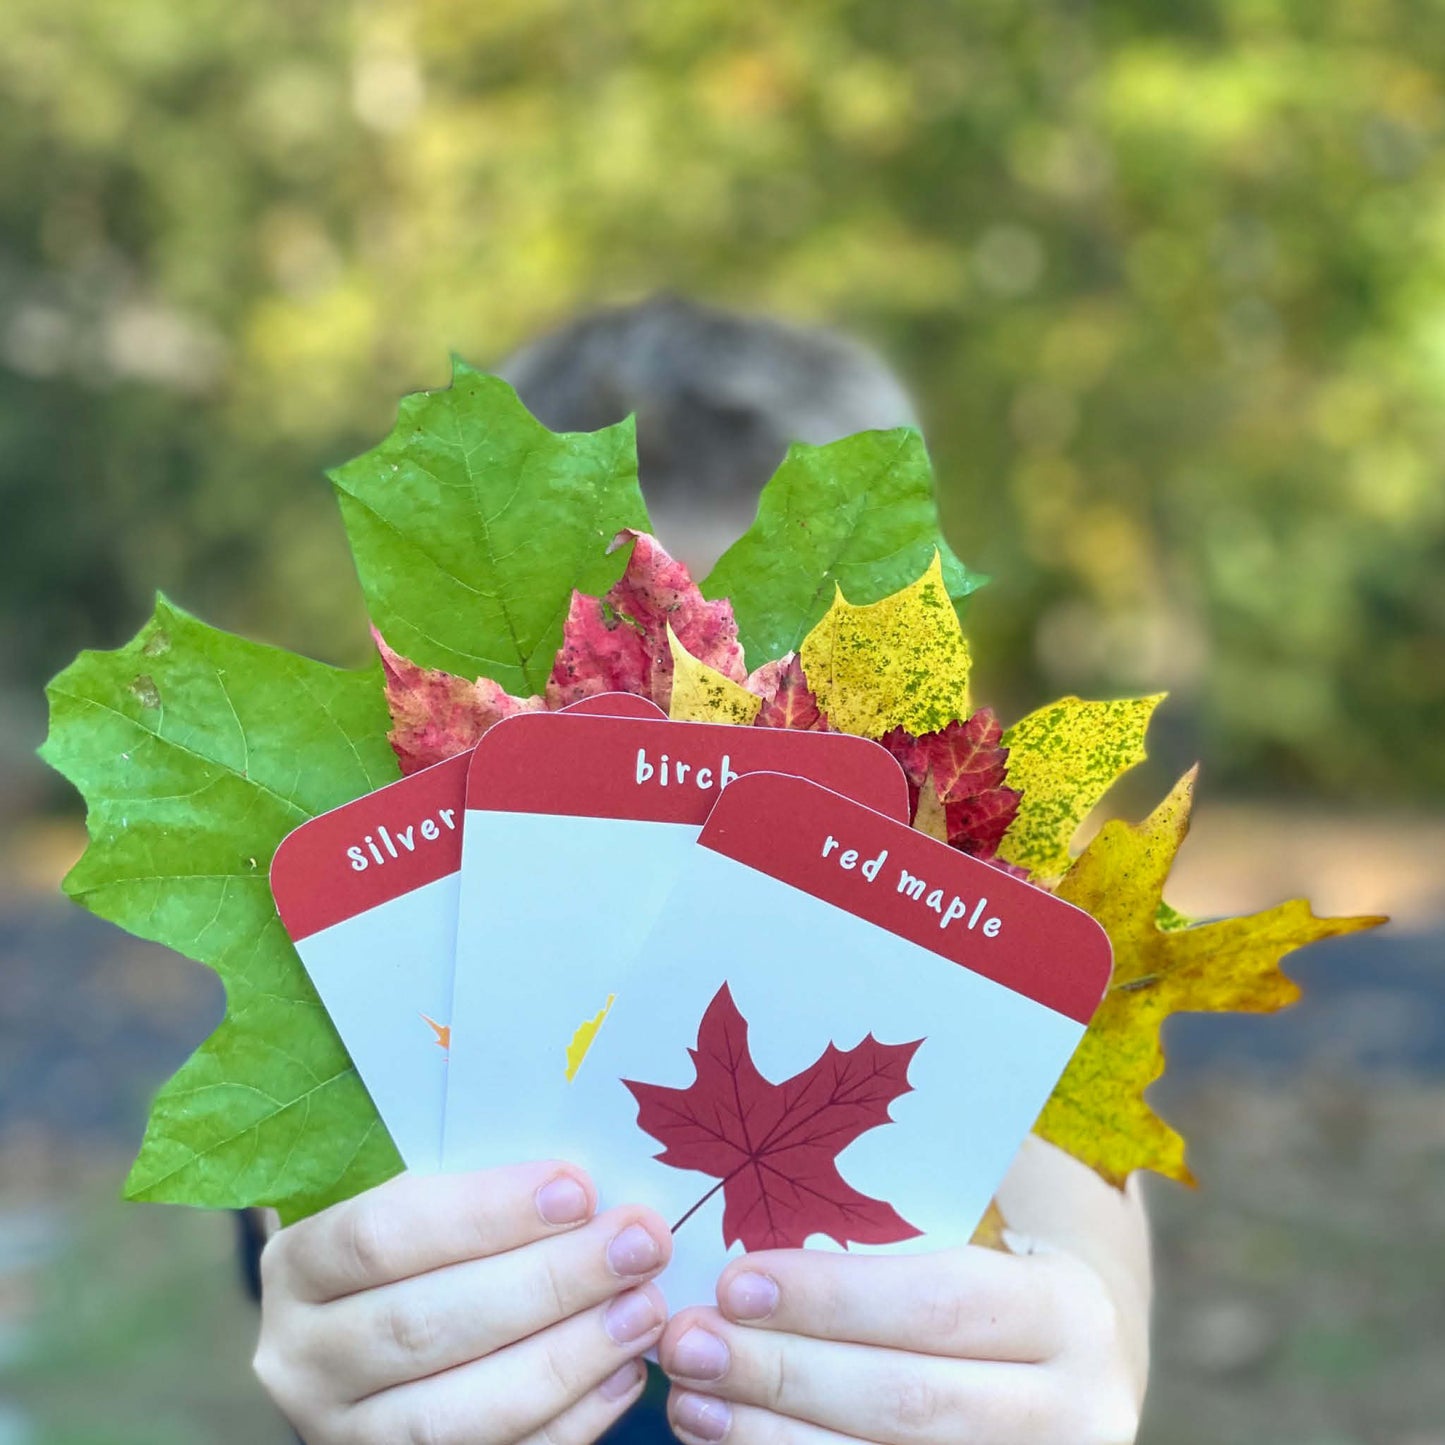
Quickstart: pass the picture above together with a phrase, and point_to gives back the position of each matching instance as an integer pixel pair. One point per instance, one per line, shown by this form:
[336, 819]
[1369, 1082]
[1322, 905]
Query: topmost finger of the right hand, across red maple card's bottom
[969, 1304]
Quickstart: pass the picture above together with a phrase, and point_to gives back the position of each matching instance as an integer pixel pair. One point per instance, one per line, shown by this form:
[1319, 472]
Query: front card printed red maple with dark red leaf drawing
[836, 1035]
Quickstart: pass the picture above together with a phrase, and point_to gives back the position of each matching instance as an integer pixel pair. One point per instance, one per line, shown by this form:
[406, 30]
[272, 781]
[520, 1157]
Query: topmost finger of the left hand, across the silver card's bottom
[417, 1223]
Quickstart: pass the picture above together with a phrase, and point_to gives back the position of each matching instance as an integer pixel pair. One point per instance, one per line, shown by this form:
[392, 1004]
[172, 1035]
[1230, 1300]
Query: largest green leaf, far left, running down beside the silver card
[197, 754]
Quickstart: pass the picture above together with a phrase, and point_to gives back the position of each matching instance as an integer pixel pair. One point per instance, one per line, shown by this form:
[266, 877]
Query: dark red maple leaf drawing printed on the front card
[775, 1147]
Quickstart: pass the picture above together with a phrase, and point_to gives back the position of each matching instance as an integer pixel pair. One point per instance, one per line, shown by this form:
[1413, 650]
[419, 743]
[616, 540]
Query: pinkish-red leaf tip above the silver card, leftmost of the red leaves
[437, 715]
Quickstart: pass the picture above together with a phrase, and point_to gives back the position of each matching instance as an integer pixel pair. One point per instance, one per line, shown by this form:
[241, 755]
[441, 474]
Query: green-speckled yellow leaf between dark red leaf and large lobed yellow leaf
[1063, 759]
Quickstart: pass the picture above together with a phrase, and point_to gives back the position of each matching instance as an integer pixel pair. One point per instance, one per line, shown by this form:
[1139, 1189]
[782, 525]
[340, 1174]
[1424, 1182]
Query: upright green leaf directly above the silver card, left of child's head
[472, 524]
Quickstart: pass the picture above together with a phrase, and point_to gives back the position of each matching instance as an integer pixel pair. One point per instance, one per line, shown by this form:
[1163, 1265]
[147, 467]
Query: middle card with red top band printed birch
[574, 832]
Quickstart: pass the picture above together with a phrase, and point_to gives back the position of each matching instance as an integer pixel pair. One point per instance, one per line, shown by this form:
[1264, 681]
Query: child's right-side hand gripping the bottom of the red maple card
[969, 1346]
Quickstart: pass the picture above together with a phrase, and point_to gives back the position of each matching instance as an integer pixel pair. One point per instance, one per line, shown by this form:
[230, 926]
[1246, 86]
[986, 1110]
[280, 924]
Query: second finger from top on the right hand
[889, 1397]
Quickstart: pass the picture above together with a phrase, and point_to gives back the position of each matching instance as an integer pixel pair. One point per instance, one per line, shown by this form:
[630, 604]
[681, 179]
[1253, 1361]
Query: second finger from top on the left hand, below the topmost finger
[420, 1327]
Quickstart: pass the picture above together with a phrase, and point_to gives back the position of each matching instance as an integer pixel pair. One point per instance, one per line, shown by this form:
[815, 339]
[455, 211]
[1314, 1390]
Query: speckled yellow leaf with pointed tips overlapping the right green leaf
[898, 663]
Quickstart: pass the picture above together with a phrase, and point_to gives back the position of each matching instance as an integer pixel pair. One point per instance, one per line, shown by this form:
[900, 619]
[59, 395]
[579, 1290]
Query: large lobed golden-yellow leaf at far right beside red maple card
[1099, 1112]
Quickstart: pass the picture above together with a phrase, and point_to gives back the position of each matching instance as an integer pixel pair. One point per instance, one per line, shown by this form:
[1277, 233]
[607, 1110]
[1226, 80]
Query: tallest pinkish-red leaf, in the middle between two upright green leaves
[621, 644]
